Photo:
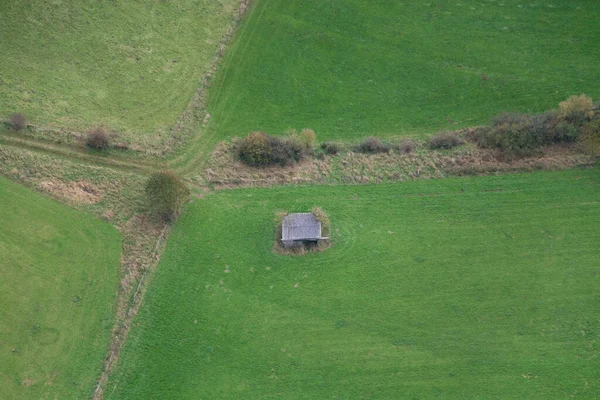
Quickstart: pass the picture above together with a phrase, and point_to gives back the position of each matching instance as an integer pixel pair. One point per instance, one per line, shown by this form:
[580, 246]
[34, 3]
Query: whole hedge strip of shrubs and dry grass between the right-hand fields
[553, 140]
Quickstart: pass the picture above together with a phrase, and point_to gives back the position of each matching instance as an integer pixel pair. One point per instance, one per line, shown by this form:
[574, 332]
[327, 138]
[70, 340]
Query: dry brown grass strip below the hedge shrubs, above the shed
[224, 171]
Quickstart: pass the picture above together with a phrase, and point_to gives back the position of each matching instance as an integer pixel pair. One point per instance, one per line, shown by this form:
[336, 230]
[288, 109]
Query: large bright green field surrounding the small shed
[444, 288]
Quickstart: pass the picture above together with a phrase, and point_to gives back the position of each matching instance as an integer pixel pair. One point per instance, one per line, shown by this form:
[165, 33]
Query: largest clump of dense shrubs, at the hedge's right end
[518, 135]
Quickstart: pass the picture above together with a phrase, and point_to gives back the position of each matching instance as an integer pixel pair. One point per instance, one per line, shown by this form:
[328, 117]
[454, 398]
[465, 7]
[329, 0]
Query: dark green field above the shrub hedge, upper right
[352, 68]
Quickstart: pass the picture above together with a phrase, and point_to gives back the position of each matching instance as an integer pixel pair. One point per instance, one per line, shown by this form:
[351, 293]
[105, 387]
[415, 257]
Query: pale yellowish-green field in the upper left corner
[132, 65]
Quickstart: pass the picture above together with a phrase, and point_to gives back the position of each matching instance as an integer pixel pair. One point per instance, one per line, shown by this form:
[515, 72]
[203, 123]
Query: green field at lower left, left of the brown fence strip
[58, 280]
